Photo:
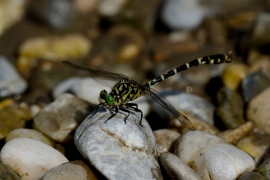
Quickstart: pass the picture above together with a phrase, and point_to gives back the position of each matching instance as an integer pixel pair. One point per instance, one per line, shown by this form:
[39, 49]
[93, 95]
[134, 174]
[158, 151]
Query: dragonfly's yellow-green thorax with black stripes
[127, 90]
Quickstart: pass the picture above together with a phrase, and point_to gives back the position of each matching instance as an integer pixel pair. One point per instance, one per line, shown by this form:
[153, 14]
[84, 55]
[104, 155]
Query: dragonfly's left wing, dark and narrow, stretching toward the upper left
[97, 73]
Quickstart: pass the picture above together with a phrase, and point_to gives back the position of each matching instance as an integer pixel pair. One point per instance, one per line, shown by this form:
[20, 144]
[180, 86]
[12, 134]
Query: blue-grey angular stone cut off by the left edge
[10, 81]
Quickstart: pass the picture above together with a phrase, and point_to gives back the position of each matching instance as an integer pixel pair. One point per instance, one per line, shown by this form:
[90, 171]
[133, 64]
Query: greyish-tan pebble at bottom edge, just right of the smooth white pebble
[69, 171]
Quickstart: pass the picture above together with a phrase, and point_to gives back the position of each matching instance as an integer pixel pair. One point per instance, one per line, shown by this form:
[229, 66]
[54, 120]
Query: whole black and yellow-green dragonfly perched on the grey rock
[126, 90]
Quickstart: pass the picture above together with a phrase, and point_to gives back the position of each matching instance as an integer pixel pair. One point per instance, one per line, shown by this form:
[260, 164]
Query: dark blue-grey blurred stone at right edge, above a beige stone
[253, 84]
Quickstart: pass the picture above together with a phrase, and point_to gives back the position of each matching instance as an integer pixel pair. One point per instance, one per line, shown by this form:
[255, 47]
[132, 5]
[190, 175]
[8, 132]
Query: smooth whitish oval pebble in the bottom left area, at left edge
[30, 158]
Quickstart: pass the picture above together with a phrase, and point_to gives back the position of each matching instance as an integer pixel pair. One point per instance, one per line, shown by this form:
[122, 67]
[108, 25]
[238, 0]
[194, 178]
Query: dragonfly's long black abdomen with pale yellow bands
[212, 59]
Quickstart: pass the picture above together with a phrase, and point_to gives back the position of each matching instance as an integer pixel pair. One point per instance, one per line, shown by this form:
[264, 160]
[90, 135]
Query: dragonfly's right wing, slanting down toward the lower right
[167, 105]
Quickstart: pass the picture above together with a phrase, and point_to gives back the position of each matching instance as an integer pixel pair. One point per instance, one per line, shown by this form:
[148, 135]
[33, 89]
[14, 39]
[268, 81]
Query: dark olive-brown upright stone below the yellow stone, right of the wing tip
[230, 108]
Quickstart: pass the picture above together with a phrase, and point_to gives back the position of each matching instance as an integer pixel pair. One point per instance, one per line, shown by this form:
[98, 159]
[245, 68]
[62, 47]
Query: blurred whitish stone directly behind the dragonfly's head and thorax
[88, 89]
